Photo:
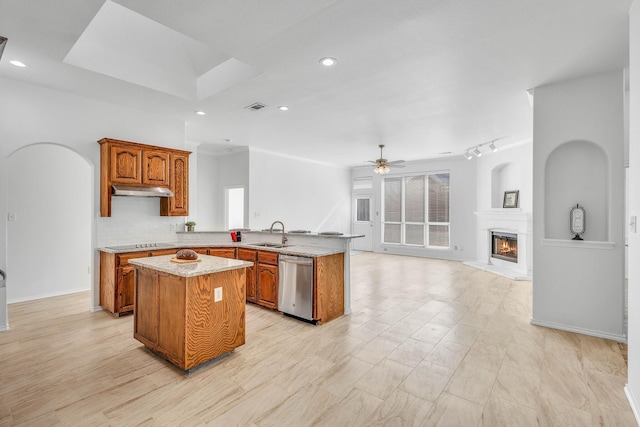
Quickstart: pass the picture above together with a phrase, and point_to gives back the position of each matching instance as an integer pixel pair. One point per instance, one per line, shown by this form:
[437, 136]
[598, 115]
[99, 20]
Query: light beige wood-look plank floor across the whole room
[429, 343]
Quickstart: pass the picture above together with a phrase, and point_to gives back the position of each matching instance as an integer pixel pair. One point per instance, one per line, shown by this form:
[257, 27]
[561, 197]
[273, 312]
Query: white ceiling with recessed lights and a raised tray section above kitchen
[422, 77]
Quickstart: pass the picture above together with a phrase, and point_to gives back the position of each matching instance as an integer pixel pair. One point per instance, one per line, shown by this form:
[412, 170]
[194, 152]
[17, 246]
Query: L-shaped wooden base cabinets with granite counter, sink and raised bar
[331, 254]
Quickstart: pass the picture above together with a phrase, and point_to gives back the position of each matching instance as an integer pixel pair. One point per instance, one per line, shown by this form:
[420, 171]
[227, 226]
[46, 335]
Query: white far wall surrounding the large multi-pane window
[462, 206]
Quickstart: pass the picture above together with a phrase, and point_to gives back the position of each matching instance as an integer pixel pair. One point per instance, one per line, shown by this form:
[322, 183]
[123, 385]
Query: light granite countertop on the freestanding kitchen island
[206, 265]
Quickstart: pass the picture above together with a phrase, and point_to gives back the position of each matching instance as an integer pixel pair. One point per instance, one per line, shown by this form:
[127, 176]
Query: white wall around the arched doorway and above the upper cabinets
[31, 114]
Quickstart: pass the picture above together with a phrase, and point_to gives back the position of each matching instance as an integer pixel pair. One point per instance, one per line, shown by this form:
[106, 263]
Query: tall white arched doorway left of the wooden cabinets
[49, 227]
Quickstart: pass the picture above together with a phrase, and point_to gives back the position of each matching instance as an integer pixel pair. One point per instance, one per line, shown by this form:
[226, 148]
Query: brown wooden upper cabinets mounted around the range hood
[130, 163]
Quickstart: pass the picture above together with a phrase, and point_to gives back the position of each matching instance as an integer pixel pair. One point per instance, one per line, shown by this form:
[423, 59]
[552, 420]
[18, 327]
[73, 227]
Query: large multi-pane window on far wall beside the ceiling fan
[416, 210]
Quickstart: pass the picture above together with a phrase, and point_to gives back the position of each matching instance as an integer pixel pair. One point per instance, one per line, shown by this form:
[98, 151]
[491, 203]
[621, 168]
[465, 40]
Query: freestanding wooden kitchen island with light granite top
[190, 313]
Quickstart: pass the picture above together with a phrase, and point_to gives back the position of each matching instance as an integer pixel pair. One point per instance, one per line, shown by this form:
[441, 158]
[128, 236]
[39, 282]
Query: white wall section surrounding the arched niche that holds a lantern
[579, 286]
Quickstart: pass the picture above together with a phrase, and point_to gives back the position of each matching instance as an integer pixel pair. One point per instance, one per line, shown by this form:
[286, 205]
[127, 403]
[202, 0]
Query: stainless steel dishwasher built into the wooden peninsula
[295, 286]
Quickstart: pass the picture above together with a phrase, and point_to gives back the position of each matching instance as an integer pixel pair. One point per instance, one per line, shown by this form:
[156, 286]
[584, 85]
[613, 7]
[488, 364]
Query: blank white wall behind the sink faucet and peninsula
[302, 194]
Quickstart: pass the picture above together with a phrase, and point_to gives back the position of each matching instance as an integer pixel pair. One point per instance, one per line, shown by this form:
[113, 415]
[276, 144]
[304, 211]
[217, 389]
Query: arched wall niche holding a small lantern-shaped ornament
[577, 172]
